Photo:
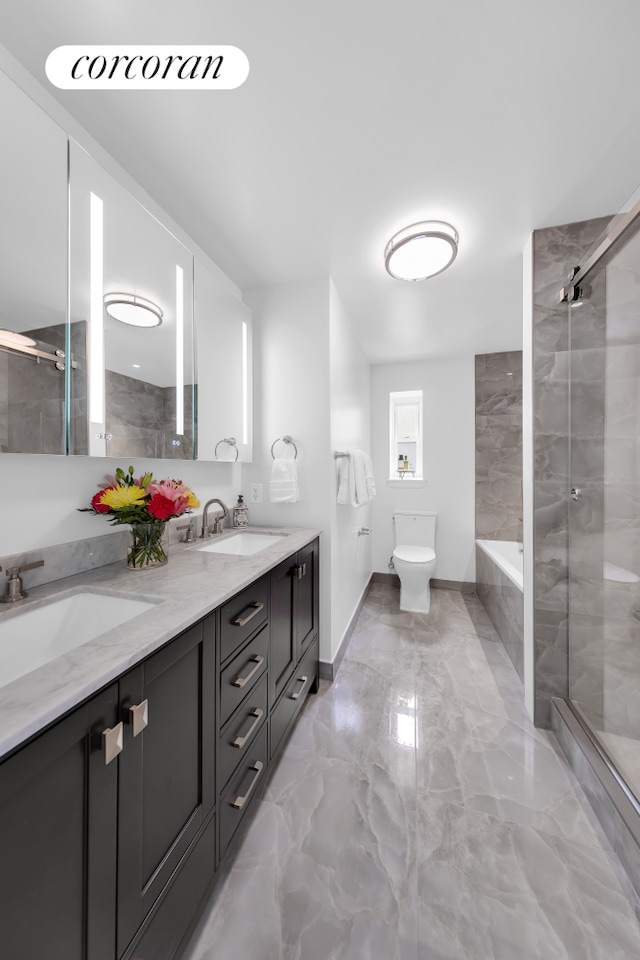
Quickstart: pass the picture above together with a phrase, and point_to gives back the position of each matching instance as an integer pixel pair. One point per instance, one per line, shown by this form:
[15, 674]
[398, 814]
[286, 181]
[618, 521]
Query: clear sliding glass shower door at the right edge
[604, 512]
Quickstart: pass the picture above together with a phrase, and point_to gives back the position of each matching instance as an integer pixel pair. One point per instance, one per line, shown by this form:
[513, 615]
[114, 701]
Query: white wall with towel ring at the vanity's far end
[291, 396]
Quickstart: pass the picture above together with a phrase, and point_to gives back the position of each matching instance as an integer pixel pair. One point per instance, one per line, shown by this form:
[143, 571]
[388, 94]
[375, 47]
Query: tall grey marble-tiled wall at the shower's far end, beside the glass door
[555, 251]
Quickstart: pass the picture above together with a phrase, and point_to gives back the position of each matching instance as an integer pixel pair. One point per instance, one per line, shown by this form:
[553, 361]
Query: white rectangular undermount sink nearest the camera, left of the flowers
[39, 634]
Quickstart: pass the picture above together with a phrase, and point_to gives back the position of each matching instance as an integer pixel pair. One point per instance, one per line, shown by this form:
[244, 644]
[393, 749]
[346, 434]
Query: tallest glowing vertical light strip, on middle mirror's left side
[96, 308]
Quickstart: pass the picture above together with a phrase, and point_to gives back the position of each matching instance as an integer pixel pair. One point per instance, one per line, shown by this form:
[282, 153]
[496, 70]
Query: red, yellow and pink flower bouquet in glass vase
[146, 505]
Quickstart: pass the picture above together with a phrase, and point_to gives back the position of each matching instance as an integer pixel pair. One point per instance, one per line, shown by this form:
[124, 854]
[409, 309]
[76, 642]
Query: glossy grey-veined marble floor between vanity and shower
[416, 814]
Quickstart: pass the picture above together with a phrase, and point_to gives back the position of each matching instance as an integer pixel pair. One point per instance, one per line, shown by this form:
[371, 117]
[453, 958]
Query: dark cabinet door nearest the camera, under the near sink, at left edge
[58, 822]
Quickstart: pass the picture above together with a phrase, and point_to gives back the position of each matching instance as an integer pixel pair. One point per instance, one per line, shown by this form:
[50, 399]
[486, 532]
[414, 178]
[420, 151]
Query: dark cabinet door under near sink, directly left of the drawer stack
[166, 786]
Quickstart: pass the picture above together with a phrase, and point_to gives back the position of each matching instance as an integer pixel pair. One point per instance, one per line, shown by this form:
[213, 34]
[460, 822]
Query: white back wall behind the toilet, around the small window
[448, 386]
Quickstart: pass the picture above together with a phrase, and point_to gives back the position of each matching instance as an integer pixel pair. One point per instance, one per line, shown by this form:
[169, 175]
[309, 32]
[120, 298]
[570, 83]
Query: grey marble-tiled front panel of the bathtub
[504, 603]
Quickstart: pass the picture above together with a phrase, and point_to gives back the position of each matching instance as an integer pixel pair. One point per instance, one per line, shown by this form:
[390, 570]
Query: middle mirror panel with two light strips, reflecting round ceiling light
[131, 317]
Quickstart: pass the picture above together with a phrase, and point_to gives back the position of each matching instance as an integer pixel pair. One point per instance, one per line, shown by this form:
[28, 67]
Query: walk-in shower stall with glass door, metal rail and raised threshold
[598, 717]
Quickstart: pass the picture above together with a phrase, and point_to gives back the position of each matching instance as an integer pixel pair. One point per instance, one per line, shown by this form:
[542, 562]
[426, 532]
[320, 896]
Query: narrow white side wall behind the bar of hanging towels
[350, 428]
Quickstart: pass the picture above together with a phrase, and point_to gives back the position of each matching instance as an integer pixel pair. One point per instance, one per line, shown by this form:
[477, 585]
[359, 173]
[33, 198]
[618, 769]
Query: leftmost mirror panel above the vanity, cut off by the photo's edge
[33, 276]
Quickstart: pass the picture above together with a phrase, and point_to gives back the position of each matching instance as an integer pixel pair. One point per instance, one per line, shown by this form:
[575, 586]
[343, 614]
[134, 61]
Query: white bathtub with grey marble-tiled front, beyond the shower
[499, 585]
